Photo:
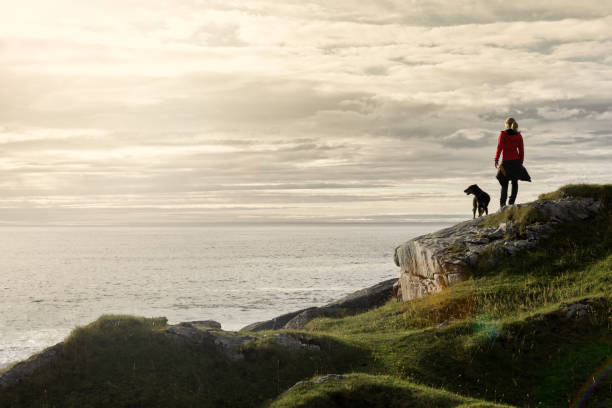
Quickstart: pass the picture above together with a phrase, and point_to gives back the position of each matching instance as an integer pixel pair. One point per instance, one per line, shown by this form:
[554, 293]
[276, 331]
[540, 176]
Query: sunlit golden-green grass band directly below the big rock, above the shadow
[576, 262]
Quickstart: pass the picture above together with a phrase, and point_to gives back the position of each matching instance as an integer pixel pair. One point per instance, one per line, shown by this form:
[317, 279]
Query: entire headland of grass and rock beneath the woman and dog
[526, 333]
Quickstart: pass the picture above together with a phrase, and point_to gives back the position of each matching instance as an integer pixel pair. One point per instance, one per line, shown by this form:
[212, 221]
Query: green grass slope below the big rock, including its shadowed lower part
[505, 341]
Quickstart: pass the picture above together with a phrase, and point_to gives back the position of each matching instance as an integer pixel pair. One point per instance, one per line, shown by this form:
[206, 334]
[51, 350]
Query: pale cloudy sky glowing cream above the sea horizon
[185, 112]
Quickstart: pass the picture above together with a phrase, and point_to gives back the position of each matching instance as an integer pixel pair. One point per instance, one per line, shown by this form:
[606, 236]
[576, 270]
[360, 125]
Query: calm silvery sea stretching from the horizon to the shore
[53, 279]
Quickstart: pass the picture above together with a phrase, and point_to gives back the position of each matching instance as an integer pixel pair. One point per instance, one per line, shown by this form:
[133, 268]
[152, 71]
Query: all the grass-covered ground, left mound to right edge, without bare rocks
[502, 337]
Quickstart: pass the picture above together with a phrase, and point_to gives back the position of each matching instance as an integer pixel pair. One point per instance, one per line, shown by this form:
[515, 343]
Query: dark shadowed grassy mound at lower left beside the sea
[126, 361]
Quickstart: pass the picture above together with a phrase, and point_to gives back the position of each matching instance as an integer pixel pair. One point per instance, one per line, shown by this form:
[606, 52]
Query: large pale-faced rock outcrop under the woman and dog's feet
[432, 262]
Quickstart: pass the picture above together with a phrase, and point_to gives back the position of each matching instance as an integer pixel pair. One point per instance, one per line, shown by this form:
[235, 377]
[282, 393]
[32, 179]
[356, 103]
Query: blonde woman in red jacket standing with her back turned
[510, 147]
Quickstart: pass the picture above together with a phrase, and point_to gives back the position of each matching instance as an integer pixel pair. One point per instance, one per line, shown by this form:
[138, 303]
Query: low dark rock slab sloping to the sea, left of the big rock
[360, 300]
